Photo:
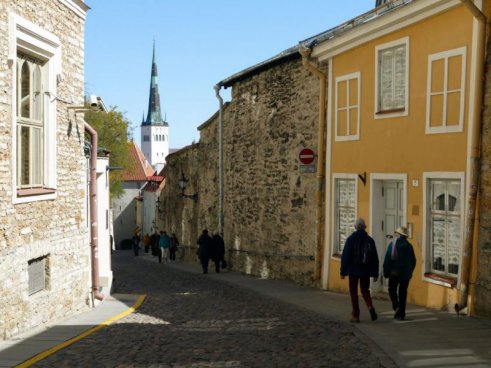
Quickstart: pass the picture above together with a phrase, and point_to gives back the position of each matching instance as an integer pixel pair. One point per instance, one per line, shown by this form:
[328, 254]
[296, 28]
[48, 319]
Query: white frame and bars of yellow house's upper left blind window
[346, 79]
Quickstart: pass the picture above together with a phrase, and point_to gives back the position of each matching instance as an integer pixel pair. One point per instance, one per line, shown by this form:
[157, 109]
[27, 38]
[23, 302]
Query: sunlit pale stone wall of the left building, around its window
[55, 229]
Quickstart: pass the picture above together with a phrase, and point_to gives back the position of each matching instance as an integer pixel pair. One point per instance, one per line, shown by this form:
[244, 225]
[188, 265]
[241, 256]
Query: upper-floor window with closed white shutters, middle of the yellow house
[392, 70]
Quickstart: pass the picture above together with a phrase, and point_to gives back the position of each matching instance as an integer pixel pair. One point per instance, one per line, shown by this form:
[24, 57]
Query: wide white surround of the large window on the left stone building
[33, 40]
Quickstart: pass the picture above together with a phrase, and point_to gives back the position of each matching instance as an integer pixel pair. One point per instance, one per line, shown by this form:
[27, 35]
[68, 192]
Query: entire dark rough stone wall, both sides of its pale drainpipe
[269, 206]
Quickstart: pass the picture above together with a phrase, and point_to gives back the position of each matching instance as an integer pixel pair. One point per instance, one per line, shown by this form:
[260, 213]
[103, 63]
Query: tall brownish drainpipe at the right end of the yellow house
[471, 238]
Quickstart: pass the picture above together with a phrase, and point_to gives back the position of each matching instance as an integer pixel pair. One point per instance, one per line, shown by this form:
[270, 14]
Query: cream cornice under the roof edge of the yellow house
[411, 13]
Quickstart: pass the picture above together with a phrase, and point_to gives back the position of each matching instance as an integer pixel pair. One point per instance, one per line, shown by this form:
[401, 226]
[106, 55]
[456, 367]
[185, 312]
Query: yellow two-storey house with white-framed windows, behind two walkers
[404, 92]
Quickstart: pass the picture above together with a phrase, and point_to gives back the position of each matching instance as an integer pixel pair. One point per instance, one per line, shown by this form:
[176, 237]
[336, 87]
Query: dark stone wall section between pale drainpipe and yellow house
[269, 225]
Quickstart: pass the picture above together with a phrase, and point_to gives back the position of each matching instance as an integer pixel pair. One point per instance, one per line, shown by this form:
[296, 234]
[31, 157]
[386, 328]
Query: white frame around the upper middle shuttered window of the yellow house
[381, 114]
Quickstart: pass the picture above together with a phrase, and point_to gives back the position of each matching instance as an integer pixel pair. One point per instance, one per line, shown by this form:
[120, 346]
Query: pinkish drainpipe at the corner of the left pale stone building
[94, 249]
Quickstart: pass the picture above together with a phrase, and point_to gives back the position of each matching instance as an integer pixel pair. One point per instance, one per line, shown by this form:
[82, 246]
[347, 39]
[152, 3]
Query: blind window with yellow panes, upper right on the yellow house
[446, 91]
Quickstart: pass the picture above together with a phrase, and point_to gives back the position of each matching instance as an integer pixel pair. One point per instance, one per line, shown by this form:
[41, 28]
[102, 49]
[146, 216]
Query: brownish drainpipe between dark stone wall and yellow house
[319, 251]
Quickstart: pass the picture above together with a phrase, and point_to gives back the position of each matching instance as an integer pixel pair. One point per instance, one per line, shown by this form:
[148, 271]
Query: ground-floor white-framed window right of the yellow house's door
[444, 225]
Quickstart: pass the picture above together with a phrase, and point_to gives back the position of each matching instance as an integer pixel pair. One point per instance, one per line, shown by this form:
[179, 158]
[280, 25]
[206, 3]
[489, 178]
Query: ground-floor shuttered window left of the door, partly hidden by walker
[344, 211]
